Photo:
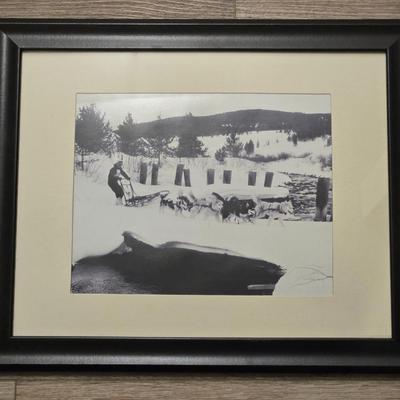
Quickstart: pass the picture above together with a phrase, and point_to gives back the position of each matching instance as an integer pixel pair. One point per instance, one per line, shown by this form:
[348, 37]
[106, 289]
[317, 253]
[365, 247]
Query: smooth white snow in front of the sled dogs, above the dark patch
[304, 249]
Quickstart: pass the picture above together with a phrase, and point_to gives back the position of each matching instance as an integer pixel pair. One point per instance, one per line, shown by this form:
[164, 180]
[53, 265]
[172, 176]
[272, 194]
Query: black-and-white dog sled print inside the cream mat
[203, 194]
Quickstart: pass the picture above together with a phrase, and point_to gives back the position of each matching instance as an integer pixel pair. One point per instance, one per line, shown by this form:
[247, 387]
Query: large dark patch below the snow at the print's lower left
[173, 268]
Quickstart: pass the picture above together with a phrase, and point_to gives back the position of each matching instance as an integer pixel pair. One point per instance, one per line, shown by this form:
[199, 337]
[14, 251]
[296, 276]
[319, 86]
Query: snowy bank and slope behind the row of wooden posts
[308, 158]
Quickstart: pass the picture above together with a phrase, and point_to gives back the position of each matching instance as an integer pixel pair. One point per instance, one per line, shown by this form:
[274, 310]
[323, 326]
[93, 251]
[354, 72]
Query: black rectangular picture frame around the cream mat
[17, 36]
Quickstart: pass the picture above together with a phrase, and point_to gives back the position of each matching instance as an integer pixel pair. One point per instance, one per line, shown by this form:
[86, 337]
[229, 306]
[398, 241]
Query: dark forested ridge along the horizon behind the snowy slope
[307, 126]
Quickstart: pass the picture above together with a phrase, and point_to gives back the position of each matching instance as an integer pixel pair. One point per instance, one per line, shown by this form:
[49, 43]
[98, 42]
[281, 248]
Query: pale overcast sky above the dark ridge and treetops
[147, 107]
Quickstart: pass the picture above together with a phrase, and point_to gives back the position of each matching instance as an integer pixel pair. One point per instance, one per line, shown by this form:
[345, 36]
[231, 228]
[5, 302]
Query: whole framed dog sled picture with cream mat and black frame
[199, 194]
